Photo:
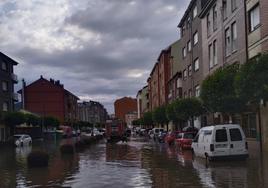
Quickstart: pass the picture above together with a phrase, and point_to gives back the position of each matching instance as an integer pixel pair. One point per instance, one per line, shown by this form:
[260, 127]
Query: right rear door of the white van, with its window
[237, 143]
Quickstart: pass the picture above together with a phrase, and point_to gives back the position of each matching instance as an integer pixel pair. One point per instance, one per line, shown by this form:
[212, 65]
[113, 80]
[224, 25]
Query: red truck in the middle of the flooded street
[115, 130]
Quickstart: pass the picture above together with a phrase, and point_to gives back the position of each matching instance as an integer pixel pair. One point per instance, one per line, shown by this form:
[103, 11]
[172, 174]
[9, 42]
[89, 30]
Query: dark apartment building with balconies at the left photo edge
[7, 95]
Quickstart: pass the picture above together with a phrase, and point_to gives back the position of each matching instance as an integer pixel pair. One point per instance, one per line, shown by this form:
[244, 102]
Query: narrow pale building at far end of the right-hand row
[142, 101]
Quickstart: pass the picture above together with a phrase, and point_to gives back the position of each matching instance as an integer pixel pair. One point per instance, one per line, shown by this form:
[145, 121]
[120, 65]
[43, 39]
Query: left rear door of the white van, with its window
[221, 145]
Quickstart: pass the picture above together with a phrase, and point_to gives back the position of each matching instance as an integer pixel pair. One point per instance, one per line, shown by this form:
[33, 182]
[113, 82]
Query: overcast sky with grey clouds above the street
[99, 49]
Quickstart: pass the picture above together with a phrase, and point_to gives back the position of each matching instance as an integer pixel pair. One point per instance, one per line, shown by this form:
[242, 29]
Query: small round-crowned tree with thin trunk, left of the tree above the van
[188, 108]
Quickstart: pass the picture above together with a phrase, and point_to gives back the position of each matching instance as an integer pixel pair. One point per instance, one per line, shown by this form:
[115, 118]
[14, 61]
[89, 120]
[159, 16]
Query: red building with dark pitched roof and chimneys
[49, 98]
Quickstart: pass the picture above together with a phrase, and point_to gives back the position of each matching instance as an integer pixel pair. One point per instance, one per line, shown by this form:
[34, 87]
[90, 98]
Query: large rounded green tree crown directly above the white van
[218, 91]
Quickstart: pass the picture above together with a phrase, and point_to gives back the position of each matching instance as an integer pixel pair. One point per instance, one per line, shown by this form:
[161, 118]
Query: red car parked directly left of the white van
[184, 139]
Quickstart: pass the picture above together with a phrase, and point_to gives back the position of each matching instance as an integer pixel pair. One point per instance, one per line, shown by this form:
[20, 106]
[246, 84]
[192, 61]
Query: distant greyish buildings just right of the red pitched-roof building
[92, 112]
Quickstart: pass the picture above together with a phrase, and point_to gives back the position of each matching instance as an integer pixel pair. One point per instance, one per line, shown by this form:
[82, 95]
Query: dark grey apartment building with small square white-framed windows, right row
[191, 49]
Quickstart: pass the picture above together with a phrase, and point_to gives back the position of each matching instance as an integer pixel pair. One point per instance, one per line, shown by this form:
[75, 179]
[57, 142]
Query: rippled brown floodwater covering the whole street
[139, 163]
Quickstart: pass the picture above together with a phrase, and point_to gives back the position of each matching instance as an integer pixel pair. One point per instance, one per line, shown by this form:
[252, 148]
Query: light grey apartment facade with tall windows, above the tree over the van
[222, 45]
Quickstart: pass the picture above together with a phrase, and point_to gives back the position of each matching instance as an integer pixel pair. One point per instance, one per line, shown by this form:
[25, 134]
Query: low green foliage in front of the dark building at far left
[14, 118]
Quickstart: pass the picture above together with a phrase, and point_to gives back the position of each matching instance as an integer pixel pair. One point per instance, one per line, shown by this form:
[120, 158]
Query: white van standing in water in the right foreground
[220, 141]
